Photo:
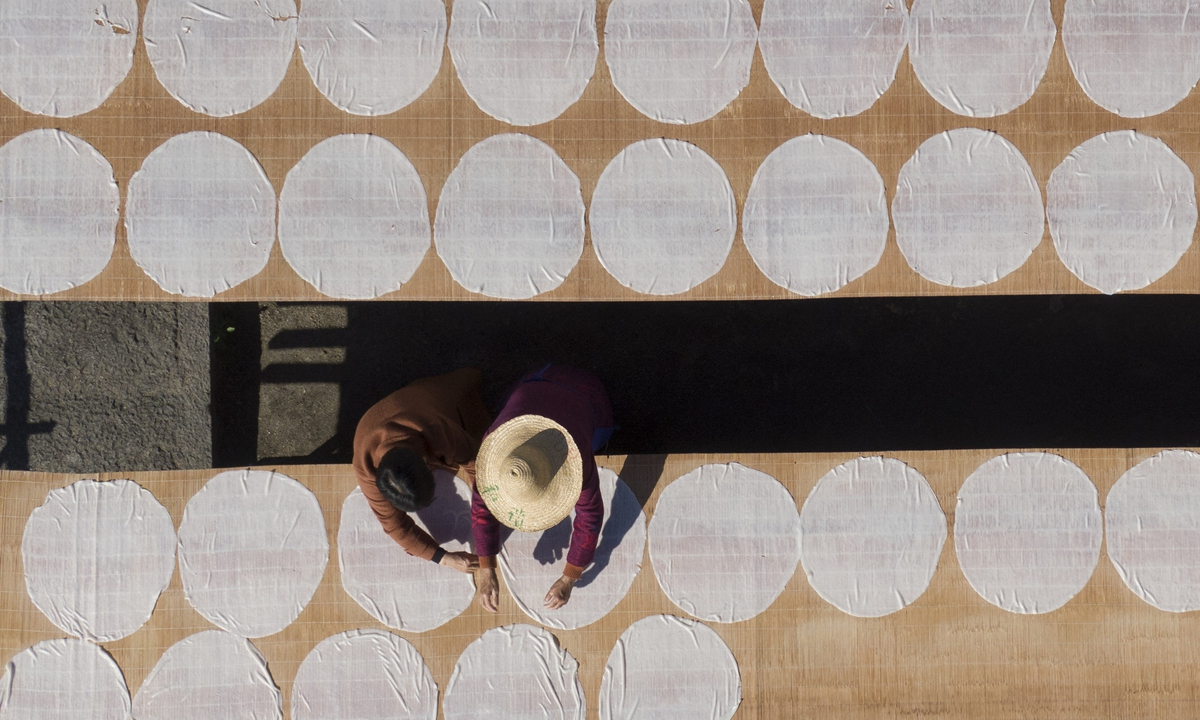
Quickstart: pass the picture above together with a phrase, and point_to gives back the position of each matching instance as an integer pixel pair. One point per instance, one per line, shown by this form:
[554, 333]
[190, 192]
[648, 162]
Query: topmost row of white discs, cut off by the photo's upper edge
[526, 62]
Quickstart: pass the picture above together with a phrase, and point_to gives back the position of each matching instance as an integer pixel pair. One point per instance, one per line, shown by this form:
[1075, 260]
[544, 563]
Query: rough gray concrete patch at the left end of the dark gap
[113, 387]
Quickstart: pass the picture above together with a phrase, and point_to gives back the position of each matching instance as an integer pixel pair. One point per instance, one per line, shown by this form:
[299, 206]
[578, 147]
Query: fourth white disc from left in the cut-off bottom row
[515, 671]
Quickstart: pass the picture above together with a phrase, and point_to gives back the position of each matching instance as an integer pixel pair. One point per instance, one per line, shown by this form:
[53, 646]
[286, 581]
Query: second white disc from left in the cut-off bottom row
[209, 676]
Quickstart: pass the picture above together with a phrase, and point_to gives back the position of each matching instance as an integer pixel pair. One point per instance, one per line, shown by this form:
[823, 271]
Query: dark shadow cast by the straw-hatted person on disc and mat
[632, 495]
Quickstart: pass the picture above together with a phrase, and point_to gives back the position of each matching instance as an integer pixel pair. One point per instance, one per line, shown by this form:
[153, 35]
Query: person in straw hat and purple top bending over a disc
[536, 464]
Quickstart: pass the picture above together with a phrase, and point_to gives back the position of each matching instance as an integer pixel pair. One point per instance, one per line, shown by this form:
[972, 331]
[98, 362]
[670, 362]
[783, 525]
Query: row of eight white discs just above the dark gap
[511, 223]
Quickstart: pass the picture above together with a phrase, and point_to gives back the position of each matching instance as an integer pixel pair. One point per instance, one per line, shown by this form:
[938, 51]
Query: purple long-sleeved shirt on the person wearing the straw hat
[577, 400]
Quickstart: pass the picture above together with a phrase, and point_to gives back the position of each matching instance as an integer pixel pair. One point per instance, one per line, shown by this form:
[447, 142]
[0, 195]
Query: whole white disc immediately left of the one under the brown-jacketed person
[253, 550]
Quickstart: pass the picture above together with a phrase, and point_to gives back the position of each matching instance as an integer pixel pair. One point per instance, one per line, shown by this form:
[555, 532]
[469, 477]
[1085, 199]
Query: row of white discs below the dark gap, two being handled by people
[724, 541]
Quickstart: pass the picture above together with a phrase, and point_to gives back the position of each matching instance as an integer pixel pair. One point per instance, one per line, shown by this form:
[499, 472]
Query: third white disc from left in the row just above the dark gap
[355, 220]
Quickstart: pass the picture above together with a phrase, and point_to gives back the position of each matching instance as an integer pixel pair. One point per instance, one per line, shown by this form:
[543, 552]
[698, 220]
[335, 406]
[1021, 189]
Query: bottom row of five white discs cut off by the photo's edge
[662, 664]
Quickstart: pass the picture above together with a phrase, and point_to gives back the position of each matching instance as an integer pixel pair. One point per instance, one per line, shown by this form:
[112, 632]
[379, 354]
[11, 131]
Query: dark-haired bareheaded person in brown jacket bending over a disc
[433, 424]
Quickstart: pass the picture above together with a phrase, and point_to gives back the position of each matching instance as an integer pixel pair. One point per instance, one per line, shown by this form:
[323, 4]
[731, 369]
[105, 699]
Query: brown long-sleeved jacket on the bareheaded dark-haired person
[442, 418]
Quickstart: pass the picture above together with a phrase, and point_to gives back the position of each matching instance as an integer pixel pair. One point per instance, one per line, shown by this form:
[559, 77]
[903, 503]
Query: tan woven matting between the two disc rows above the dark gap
[439, 129]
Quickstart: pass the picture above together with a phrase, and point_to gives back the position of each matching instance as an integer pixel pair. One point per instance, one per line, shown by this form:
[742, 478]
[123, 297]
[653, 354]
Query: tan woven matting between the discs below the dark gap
[950, 655]
